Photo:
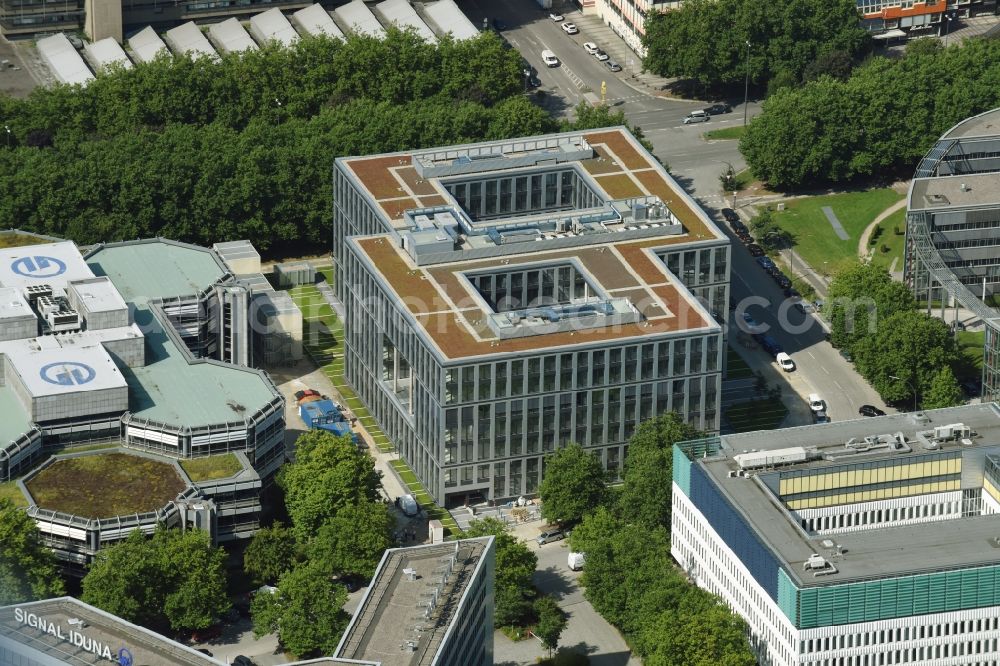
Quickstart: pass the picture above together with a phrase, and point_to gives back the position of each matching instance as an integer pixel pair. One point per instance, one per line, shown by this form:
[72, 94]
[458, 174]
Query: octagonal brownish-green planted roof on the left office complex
[105, 485]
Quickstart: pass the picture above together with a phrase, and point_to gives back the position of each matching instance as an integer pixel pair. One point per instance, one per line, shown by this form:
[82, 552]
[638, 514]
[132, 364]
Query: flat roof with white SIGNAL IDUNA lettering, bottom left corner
[108, 631]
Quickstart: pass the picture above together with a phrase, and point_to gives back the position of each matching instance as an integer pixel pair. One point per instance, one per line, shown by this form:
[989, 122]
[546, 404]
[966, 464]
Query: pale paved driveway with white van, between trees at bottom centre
[586, 630]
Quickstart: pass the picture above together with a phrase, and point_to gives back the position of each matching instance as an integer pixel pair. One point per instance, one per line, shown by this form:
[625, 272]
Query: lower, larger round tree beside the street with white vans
[906, 354]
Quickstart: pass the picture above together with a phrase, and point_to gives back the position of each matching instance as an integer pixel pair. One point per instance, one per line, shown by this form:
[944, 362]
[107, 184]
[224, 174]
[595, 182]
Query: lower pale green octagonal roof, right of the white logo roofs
[171, 389]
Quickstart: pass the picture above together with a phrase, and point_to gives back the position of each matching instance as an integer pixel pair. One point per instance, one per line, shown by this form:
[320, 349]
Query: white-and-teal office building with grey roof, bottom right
[857, 543]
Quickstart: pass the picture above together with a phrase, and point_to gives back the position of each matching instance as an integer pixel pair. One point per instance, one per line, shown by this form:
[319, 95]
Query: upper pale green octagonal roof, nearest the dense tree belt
[145, 270]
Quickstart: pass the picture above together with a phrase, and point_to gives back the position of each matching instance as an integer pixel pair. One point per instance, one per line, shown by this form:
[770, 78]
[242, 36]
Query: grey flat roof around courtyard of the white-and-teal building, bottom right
[873, 553]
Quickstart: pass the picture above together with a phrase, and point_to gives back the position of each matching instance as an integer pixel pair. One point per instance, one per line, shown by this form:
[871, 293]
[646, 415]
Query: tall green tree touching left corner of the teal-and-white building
[645, 495]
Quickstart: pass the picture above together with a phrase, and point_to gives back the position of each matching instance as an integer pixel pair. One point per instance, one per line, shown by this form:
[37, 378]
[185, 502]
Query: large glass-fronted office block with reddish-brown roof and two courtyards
[507, 298]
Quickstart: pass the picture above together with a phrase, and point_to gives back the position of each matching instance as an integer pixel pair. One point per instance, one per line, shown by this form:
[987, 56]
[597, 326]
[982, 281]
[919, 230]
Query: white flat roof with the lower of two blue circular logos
[66, 370]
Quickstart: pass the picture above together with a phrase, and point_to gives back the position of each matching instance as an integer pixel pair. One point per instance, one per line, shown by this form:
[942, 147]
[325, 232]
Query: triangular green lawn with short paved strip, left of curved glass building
[814, 237]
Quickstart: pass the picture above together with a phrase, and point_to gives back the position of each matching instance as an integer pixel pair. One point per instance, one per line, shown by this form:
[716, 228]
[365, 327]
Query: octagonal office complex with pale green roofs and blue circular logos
[146, 345]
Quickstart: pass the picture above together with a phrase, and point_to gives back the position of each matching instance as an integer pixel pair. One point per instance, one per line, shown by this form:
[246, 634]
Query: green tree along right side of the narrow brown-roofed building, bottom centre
[515, 566]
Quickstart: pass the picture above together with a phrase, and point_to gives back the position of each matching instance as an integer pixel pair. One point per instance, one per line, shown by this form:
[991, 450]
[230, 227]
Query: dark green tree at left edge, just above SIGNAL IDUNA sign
[27, 568]
